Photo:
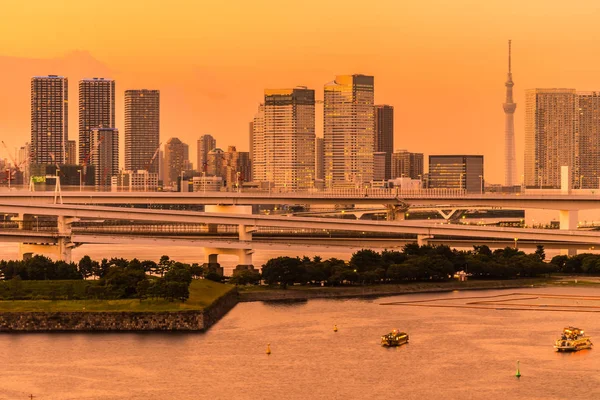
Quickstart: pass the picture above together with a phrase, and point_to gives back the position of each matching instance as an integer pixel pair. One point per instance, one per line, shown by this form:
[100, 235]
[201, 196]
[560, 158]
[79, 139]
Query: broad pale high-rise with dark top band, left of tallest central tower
[288, 138]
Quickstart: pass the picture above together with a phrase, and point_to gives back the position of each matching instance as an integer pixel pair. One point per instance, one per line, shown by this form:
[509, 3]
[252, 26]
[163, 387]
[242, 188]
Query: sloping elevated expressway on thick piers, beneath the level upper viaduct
[64, 239]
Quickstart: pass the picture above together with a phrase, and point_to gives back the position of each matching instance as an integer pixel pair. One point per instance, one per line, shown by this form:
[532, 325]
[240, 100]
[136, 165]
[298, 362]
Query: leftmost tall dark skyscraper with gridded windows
[49, 119]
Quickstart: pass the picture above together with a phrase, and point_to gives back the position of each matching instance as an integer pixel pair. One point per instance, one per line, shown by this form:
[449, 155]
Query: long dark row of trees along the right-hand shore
[412, 263]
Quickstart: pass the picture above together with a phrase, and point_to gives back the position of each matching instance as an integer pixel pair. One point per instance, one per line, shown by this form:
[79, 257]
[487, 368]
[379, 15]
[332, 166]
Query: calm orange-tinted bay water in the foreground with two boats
[454, 353]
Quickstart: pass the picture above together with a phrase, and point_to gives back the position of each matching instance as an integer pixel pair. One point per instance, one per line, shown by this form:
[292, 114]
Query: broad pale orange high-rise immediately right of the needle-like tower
[551, 126]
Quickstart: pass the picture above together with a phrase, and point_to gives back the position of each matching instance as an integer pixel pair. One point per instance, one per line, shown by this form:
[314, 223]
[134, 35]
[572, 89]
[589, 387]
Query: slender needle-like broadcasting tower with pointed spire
[510, 159]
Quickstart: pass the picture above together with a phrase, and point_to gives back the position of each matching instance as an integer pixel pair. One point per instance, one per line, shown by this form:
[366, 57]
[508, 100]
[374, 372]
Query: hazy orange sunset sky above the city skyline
[441, 64]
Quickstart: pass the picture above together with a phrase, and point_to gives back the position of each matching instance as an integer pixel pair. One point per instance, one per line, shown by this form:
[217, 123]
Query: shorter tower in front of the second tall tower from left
[105, 157]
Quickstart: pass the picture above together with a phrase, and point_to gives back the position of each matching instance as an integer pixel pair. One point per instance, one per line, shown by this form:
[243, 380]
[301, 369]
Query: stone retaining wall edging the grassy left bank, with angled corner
[82, 321]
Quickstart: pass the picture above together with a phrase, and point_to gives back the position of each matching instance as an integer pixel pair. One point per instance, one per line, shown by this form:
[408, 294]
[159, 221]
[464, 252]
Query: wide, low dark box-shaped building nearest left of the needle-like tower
[456, 172]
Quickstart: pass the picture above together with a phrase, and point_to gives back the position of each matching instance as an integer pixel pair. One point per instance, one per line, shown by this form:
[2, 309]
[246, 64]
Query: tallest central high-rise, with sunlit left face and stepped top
[348, 131]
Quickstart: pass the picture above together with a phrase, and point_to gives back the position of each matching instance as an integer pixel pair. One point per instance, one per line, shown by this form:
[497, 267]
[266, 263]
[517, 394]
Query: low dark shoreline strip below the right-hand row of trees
[296, 293]
